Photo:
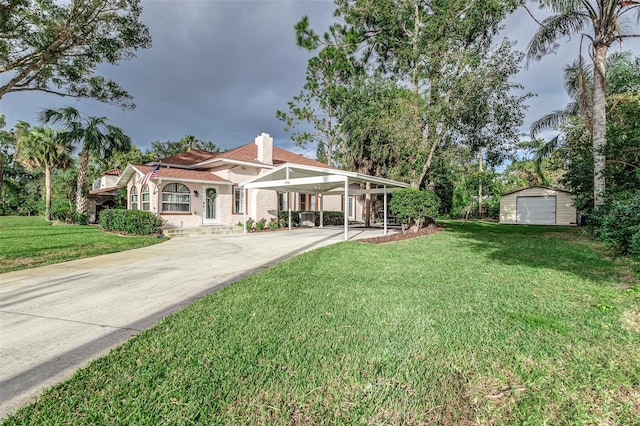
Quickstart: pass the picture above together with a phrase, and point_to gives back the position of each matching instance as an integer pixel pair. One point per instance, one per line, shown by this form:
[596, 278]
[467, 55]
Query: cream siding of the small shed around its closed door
[565, 211]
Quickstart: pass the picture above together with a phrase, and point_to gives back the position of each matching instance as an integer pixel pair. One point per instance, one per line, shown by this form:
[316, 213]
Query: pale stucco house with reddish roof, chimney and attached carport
[197, 188]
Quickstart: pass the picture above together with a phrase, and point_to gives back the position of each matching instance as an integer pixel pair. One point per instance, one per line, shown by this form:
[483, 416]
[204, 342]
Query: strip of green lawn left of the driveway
[26, 242]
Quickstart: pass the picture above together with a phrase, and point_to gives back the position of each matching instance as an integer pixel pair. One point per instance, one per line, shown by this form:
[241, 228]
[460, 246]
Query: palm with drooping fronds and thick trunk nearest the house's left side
[97, 137]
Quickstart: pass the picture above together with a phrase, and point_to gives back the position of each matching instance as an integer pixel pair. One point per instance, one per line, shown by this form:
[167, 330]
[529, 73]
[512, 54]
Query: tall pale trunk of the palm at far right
[599, 123]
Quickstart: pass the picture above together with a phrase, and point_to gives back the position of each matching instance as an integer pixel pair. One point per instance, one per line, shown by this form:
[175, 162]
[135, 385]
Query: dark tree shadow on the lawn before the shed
[561, 248]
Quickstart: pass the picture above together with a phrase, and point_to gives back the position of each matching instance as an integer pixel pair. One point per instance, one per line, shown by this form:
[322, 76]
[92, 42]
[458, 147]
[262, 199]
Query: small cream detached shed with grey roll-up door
[538, 205]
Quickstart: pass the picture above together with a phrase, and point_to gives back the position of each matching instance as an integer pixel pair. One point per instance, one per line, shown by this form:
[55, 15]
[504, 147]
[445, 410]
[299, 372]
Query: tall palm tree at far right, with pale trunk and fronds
[606, 19]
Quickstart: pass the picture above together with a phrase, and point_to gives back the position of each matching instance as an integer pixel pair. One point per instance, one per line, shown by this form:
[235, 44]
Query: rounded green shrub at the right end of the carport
[414, 207]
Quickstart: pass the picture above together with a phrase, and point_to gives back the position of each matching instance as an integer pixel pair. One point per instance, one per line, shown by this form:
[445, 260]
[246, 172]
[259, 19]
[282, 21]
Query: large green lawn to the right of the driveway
[480, 324]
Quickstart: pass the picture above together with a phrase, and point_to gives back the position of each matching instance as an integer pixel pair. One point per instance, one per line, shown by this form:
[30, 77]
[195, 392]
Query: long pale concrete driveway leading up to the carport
[56, 319]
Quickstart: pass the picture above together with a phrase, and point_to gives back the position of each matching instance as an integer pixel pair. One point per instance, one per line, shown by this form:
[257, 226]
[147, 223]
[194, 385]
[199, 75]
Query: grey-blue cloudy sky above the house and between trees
[220, 69]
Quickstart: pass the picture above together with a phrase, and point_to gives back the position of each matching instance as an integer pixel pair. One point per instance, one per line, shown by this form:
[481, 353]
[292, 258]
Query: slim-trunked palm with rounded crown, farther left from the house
[41, 148]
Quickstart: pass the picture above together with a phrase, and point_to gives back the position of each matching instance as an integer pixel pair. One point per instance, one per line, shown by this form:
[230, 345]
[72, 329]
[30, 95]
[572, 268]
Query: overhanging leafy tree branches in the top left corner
[55, 46]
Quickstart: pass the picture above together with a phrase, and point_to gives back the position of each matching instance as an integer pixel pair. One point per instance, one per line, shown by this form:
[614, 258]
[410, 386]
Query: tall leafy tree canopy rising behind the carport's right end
[435, 52]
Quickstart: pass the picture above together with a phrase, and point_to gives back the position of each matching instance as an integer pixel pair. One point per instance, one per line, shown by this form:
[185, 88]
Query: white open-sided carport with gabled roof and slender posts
[322, 181]
